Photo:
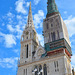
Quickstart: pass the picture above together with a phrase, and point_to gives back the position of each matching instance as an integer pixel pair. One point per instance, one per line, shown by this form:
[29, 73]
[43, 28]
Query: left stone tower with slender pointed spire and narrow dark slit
[29, 40]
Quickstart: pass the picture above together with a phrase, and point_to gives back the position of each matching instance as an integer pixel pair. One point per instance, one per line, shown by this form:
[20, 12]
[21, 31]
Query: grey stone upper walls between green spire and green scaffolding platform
[57, 25]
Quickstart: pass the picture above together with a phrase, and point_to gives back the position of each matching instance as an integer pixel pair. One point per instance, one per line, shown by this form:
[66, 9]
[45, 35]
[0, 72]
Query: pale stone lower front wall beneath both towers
[63, 68]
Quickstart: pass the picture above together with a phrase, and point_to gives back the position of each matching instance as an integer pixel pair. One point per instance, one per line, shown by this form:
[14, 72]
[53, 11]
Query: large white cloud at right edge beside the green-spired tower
[70, 22]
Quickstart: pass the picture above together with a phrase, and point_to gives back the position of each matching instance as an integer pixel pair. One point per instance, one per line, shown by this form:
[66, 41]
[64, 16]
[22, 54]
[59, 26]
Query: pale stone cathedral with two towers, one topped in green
[55, 57]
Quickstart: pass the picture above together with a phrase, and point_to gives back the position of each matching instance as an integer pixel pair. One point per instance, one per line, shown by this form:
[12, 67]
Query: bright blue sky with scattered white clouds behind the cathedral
[13, 18]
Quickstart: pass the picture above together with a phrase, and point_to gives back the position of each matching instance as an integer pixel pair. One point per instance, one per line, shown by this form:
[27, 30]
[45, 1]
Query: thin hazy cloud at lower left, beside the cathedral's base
[9, 62]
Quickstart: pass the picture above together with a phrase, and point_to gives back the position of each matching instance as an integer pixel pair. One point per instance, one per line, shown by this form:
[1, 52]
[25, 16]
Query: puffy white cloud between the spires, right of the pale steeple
[38, 18]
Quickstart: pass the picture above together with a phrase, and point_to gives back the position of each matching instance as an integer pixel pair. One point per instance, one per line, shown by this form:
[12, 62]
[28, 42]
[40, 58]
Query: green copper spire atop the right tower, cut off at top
[51, 8]
